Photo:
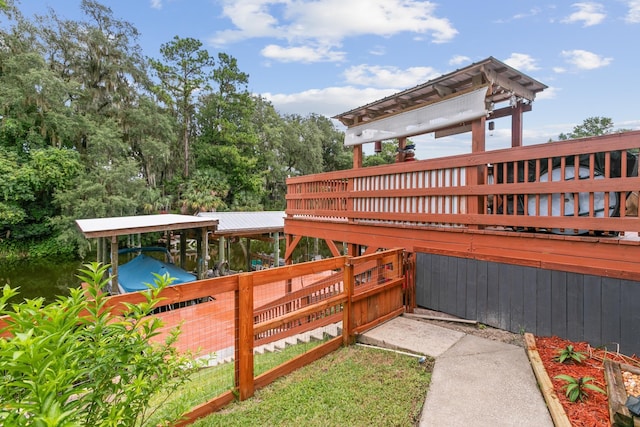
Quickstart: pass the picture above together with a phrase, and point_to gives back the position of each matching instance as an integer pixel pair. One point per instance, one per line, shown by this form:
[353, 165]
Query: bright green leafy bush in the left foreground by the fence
[73, 362]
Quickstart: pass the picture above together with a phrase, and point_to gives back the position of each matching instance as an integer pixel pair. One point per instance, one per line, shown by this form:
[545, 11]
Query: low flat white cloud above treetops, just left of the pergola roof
[328, 101]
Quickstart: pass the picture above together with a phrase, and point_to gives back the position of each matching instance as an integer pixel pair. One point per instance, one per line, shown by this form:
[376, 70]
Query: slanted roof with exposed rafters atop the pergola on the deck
[504, 80]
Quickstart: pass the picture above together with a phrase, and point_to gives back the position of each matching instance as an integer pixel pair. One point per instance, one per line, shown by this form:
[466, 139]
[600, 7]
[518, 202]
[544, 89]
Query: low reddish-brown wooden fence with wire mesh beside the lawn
[357, 292]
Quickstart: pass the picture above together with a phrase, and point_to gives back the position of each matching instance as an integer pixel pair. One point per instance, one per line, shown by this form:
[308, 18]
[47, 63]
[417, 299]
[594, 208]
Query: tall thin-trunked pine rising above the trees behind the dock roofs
[187, 69]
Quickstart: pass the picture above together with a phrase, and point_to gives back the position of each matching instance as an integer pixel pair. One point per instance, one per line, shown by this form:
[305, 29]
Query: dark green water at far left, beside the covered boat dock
[40, 278]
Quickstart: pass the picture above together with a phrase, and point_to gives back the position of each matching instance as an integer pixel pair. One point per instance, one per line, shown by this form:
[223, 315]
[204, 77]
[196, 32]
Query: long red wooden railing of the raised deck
[479, 190]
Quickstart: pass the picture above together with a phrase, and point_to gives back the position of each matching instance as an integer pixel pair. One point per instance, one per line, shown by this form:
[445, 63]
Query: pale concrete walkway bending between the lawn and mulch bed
[475, 381]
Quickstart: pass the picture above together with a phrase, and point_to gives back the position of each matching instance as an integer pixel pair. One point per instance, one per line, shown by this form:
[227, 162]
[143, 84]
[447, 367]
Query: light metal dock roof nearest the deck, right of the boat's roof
[247, 223]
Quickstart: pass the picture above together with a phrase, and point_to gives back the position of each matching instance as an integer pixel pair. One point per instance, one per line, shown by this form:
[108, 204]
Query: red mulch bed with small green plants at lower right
[594, 411]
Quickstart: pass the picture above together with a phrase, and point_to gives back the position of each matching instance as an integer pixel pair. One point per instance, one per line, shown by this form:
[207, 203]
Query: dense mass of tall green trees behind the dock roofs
[86, 132]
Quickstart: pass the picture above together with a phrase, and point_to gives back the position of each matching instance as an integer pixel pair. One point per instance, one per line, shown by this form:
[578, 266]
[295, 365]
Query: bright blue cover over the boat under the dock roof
[137, 273]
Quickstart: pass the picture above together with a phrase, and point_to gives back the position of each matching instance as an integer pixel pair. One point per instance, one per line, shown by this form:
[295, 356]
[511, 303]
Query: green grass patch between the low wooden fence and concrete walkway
[353, 386]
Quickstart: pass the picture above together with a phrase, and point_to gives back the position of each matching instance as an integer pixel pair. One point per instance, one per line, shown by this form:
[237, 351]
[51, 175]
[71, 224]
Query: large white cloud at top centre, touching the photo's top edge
[327, 23]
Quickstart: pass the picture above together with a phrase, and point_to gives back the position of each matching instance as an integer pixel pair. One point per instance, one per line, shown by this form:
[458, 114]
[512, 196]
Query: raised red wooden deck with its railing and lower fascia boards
[472, 206]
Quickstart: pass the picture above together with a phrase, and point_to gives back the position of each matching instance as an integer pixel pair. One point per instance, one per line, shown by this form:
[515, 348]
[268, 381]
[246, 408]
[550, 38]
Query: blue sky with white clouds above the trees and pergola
[330, 56]
